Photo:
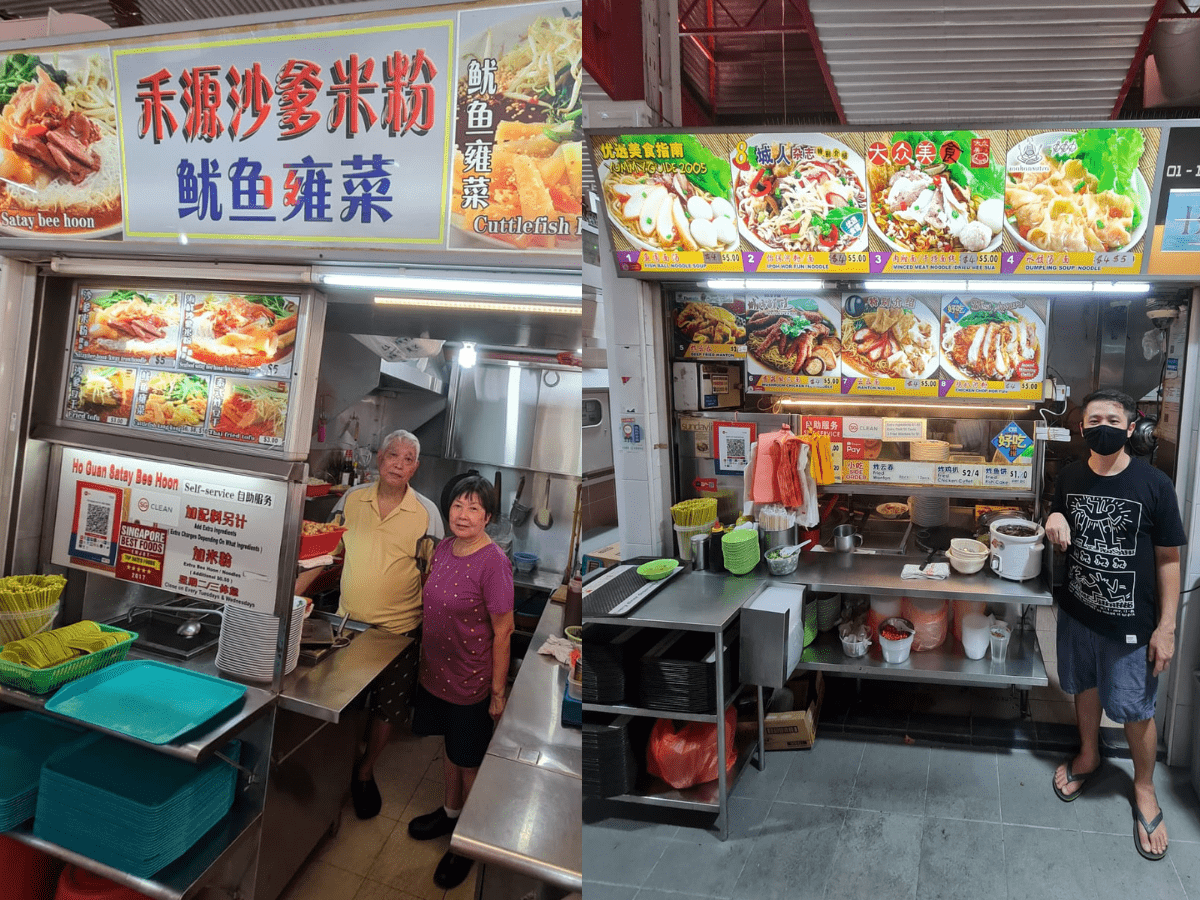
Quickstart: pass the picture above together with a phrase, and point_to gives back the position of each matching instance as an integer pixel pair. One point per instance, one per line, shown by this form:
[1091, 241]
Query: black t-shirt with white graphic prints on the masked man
[1117, 521]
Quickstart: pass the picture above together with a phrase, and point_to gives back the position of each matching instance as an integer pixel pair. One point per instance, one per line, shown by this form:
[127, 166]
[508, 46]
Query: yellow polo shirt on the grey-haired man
[381, 584]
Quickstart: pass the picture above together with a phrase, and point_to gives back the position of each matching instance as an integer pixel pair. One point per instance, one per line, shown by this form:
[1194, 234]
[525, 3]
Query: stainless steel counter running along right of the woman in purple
[525, 809]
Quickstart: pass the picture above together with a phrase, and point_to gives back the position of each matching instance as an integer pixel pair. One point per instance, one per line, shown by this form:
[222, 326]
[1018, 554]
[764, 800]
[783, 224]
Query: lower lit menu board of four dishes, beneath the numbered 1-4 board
[964, 345]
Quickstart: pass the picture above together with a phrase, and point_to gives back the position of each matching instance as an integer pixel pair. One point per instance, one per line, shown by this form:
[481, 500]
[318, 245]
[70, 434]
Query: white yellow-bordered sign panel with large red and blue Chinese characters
[333, 137]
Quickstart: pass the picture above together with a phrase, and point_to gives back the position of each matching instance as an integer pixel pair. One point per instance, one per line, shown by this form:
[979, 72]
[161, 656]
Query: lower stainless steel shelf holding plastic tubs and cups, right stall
[949, 664]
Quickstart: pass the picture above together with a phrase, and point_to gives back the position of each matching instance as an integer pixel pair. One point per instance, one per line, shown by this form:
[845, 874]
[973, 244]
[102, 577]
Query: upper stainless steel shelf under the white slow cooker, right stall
[880, 574]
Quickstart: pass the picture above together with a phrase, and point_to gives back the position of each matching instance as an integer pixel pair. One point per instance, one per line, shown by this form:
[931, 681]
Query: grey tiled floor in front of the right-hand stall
[857, 818]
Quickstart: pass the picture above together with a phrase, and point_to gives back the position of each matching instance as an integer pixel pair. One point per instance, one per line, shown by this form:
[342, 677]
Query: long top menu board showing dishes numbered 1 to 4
[955, 203]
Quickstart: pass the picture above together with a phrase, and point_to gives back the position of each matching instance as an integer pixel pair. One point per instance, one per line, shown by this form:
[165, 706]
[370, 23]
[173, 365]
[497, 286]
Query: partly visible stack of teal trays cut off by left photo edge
[27, 741]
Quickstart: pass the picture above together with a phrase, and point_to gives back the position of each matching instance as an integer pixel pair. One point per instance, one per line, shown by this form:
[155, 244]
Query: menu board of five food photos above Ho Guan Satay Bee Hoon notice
[211, 367]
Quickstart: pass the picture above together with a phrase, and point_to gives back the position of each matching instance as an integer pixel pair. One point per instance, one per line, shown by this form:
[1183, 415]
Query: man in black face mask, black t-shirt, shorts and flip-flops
[1119, 521]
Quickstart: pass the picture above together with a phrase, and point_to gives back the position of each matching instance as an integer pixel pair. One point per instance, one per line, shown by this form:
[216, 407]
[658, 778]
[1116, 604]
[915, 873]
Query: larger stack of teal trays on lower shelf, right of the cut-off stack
[128, 807]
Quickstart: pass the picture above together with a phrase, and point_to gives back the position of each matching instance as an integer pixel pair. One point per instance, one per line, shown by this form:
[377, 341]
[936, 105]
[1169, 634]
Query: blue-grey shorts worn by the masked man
[1123, 674]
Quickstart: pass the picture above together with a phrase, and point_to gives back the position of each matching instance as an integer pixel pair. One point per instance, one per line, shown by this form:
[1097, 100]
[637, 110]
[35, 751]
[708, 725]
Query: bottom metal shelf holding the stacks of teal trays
[183, 878]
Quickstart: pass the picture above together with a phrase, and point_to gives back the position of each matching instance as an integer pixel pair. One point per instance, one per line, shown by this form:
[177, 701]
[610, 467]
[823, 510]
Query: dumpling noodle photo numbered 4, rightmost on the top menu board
[1078, 191]
